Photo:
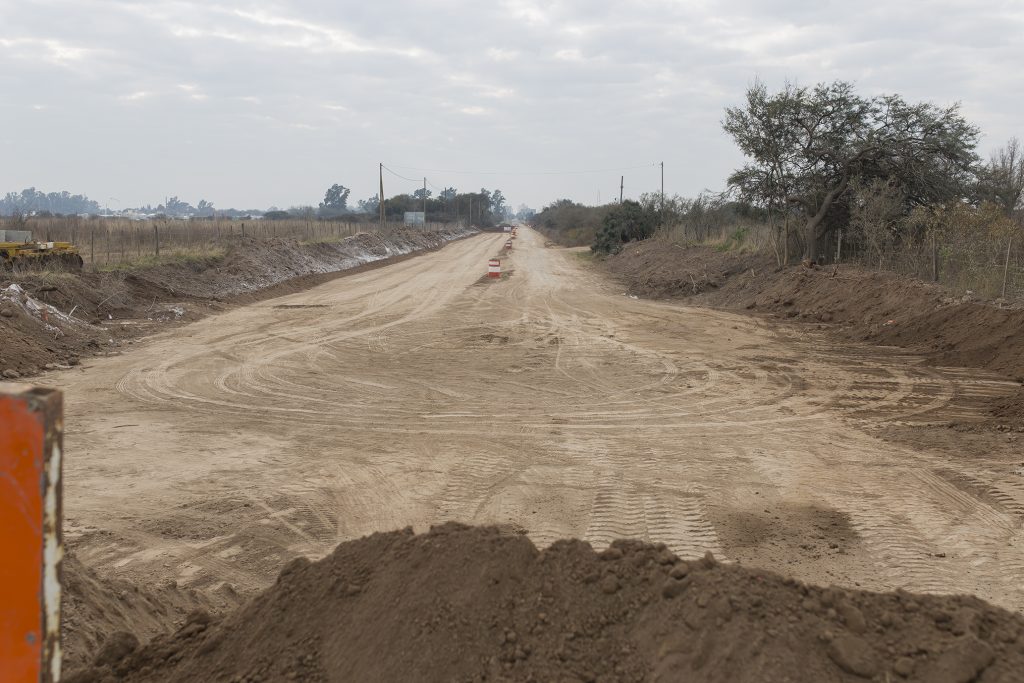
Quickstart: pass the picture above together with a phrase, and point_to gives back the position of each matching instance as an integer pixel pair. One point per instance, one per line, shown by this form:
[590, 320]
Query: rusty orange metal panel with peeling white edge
[31, 450]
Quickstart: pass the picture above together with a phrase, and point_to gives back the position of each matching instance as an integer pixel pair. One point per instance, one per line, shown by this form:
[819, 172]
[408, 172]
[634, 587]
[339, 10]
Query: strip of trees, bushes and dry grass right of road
[835, 177]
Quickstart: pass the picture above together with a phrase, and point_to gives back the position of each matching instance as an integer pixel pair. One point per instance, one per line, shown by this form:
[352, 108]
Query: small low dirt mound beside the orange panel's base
[96, 609]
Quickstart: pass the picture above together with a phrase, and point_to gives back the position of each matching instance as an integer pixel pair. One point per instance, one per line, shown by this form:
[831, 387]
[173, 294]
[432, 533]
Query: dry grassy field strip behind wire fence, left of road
[110, 243]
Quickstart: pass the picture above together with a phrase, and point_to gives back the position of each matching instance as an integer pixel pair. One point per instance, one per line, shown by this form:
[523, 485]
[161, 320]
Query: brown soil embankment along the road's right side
[850, 303]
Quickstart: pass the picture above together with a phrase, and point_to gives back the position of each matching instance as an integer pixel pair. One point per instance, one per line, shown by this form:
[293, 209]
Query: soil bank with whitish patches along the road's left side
[53, 320]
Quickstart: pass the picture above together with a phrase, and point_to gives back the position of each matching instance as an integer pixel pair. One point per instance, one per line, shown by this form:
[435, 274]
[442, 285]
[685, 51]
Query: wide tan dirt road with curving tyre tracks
[547, 401]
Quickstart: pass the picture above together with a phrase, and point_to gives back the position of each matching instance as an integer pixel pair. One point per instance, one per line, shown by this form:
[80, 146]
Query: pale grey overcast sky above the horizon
[257, 104]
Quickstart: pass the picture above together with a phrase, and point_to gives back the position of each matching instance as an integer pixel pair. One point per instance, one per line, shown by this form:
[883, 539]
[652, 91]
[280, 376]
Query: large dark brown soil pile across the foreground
[474, 605]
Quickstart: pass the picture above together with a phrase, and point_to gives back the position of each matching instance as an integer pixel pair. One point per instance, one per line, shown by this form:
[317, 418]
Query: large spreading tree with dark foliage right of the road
[806, 146]
